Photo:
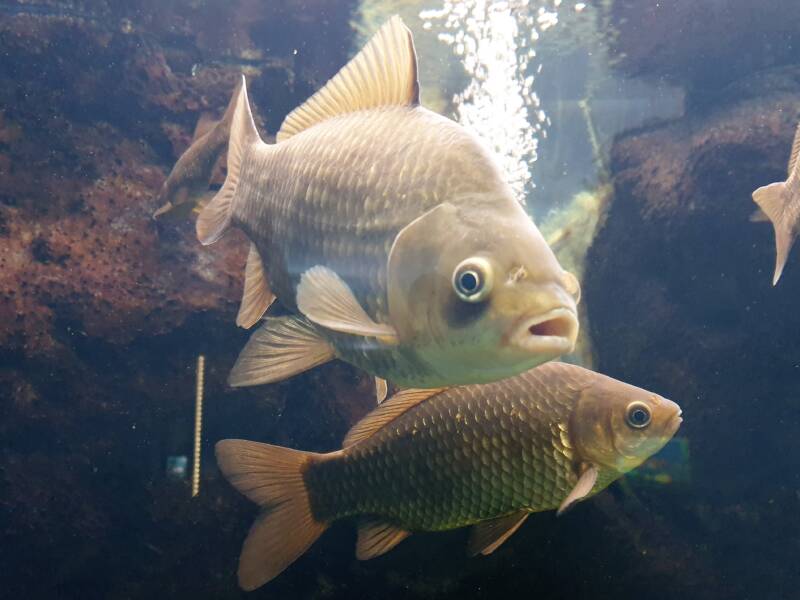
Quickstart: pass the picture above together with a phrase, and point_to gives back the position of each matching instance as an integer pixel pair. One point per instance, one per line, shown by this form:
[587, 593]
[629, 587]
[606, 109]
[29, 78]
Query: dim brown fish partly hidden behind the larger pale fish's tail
[188, 181]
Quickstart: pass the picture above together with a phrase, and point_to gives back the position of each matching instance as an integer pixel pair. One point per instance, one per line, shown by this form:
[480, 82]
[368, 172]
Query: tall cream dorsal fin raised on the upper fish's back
[384, 73]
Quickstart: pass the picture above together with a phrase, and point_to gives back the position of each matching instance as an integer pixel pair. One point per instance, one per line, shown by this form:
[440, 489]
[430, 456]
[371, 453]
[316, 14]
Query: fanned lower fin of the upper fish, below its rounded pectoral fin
[281, 348]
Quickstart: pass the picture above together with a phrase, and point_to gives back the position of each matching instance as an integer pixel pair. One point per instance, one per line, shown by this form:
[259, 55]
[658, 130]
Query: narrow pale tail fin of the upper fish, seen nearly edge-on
[215, 218]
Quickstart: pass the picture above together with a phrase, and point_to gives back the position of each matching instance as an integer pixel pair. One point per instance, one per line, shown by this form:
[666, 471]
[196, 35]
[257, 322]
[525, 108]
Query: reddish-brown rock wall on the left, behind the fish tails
[104, 310]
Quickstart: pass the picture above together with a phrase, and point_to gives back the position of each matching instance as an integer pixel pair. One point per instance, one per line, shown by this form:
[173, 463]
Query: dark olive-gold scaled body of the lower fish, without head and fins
[460, 457]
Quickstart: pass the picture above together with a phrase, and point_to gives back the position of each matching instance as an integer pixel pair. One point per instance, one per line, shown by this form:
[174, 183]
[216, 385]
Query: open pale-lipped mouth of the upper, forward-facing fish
[553, 333]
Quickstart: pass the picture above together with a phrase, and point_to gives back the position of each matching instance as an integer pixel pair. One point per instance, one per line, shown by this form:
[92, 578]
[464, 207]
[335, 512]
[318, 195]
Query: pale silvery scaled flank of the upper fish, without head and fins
[300, 211]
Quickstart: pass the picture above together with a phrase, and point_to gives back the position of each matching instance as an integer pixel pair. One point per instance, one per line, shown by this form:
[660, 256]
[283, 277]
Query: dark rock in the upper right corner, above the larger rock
[701, 44]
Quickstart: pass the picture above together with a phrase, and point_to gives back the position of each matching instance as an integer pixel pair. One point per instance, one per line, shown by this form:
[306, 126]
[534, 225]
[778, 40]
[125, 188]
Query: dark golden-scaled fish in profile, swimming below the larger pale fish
[431, 460]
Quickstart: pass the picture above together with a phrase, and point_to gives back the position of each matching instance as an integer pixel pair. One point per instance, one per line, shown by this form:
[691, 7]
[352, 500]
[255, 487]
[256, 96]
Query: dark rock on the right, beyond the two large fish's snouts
[679, 292]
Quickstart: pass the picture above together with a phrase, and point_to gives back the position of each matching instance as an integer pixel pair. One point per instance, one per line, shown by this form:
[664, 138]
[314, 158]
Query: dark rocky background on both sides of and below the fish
[103, 312]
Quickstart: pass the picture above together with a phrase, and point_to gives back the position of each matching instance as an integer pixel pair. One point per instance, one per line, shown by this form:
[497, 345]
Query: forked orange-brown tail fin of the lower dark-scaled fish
[271, 476]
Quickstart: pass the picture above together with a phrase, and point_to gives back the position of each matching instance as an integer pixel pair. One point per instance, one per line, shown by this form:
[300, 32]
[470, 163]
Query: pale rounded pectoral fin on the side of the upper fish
[327, 300]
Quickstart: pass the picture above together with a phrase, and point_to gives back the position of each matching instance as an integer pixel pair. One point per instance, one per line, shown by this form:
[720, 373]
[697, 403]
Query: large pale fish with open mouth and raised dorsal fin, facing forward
[390, 234]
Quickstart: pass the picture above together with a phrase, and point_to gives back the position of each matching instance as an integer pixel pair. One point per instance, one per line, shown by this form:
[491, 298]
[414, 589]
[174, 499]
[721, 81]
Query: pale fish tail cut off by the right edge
[780, 202]
